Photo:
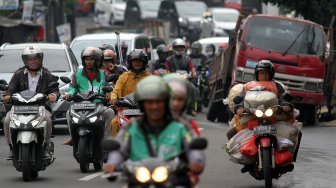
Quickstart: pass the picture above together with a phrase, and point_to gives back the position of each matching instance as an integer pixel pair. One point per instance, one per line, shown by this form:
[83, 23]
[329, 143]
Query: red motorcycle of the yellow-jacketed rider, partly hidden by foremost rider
[126, 108]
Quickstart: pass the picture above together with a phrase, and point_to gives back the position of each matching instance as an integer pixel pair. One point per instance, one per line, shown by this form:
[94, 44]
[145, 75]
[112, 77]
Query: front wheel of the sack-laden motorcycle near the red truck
[267, 166]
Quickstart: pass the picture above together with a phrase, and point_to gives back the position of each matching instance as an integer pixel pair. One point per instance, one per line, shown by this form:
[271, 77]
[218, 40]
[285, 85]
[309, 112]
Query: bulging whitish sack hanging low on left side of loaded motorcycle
[234, 145]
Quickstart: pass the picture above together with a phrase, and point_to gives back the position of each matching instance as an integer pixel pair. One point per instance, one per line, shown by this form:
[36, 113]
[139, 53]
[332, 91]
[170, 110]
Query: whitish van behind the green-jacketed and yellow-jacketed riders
[134, 41]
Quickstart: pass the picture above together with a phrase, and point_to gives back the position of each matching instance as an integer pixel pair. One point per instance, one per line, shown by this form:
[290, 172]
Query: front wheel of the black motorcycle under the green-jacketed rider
[83, 154]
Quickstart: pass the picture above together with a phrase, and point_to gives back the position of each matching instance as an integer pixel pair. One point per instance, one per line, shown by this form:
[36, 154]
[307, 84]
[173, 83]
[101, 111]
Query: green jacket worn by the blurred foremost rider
[167, 145]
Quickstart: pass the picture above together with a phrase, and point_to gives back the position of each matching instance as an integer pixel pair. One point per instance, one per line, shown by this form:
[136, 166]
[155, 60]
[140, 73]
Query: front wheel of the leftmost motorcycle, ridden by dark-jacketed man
[25, 155]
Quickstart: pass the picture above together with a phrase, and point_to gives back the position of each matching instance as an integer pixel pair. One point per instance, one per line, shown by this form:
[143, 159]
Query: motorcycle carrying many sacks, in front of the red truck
[266, 142]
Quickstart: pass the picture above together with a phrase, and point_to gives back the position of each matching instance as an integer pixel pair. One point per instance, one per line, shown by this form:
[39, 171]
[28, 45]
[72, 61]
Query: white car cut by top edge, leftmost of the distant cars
[109, 12]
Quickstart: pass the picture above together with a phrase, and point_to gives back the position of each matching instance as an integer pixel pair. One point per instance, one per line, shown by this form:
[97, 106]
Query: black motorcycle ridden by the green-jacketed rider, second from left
[87, 128]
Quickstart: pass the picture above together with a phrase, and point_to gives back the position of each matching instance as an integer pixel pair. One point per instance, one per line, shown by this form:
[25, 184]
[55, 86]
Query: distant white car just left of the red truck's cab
[219, 22]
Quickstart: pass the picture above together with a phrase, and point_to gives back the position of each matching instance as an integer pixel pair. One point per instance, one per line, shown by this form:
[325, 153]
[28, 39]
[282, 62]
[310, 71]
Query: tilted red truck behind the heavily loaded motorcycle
[297, 49]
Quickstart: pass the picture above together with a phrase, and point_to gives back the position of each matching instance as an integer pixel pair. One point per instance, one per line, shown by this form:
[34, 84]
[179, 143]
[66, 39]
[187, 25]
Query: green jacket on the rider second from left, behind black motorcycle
[81, 82]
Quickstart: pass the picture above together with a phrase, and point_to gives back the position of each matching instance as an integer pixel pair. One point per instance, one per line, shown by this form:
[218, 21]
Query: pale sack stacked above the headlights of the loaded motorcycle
[254, 99]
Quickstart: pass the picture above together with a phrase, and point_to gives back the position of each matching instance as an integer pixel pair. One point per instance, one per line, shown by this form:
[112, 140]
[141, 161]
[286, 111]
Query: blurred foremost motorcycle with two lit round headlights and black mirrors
[153, 171]
